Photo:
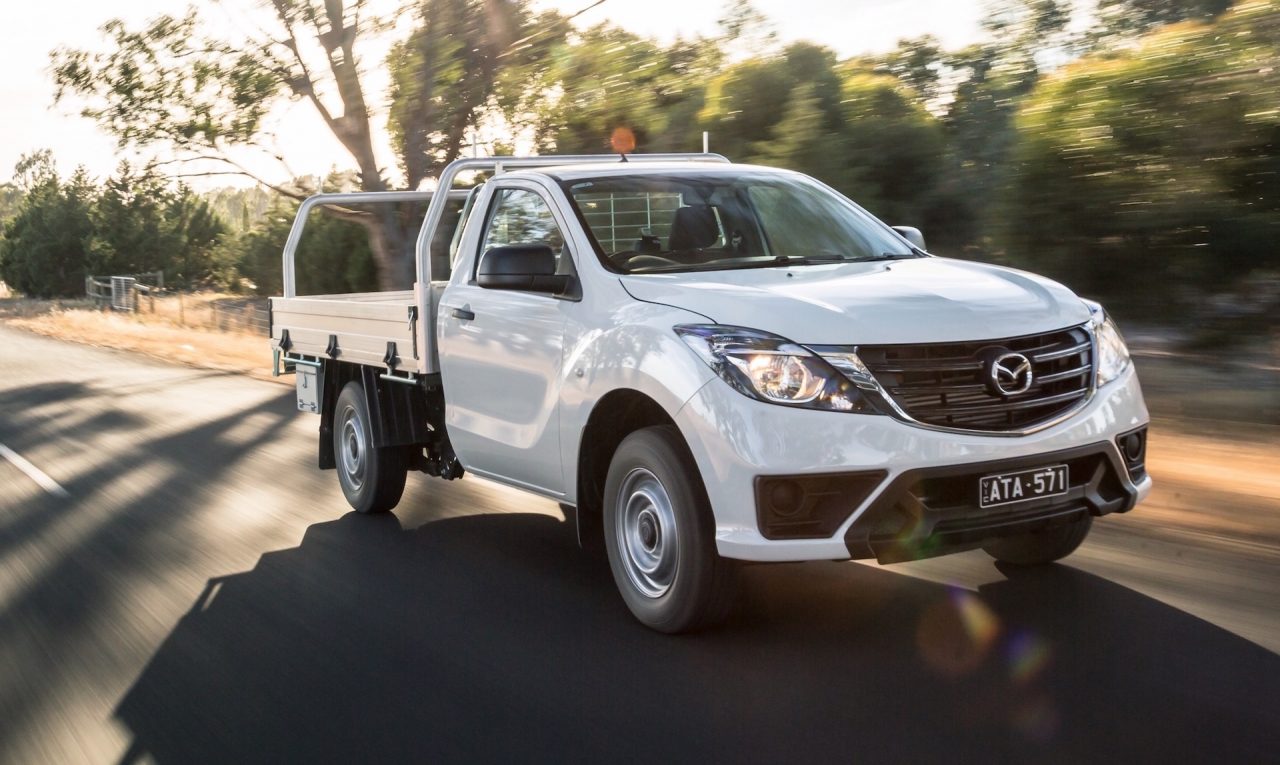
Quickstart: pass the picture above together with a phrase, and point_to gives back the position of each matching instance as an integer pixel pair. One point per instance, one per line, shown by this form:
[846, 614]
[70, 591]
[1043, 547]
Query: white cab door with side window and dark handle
[502, 354]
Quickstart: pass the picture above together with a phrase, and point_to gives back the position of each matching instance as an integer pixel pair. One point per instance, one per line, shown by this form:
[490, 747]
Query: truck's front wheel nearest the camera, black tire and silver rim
[661, 538]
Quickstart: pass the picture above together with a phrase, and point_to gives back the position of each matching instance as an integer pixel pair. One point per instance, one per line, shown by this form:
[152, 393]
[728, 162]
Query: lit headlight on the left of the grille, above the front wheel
[774, 369]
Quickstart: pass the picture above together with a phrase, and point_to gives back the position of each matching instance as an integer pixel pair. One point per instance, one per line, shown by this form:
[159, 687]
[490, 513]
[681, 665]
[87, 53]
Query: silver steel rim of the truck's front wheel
[648, 538]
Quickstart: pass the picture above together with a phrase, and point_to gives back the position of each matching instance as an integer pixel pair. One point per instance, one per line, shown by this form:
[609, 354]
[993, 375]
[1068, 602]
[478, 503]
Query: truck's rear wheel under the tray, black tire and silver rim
[373, 479]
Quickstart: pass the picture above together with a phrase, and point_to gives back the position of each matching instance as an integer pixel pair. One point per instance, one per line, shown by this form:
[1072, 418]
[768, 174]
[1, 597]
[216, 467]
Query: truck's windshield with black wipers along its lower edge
[700, 222]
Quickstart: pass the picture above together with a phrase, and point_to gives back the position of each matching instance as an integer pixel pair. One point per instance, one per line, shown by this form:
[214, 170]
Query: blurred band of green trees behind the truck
[1140, 148]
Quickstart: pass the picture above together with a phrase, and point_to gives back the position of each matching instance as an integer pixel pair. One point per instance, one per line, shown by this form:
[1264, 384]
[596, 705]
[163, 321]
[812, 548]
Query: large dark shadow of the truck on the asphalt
[492, 639]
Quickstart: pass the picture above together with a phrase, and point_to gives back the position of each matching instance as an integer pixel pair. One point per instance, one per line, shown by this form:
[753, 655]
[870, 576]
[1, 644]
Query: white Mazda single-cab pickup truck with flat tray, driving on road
[710, 364]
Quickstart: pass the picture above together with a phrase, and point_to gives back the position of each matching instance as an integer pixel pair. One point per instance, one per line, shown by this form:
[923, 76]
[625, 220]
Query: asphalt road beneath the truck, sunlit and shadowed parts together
[200, 594]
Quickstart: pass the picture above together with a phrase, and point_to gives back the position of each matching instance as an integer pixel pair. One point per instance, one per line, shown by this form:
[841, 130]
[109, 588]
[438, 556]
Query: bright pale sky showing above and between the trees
[30, 121]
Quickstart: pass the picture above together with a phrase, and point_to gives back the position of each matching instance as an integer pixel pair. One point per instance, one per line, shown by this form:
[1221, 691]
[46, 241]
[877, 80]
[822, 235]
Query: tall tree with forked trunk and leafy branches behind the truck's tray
[171, 88]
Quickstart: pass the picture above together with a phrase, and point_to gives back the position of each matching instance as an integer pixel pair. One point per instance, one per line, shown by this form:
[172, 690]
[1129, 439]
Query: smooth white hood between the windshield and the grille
[929, 300]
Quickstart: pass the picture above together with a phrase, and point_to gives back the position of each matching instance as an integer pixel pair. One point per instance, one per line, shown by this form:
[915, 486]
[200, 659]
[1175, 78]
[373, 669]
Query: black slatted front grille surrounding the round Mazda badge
[947, 384]
